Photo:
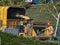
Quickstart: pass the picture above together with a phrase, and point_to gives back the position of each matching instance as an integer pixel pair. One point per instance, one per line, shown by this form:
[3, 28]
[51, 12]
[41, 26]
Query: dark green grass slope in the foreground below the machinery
[9, 39]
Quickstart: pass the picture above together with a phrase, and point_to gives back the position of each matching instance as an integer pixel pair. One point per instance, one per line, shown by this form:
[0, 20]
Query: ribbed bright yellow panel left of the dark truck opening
[3, 16]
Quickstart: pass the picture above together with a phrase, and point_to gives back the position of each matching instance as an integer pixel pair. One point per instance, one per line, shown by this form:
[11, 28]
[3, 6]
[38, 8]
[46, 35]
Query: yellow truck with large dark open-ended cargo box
[8, 16]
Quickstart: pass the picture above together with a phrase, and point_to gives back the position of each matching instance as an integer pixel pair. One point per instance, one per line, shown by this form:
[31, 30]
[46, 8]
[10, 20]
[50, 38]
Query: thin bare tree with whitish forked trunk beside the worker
[57, 18]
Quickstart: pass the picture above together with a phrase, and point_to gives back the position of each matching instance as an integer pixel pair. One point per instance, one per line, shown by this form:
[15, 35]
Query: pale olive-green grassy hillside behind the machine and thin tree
[34, 12]
